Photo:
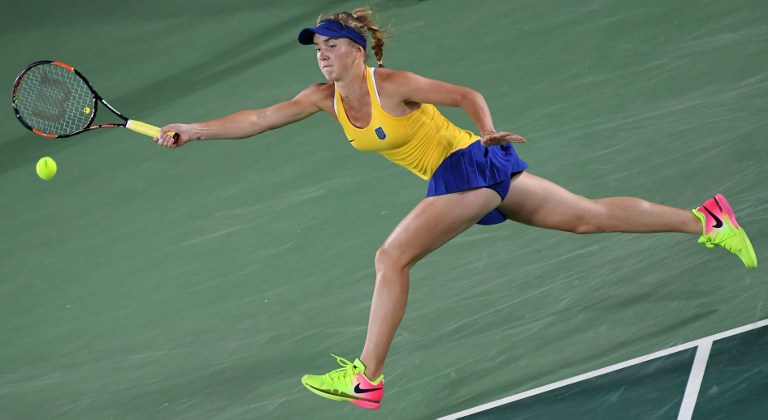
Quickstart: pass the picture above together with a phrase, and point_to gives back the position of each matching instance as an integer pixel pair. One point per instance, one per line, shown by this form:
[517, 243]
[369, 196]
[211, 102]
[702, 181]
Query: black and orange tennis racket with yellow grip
[55, 100]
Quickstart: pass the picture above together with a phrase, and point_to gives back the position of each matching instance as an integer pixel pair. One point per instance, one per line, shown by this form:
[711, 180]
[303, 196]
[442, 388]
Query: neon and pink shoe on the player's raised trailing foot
[722, 229]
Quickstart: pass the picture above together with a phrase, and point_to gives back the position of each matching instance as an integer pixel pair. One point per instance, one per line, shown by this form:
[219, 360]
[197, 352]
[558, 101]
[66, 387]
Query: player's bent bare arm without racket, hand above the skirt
[412, 87]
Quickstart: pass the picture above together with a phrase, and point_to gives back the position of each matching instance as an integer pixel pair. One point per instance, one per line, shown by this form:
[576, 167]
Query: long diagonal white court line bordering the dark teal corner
[605, 370]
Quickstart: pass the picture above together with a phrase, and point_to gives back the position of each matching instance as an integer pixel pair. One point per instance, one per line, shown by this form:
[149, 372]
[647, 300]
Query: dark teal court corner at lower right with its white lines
[720, 376]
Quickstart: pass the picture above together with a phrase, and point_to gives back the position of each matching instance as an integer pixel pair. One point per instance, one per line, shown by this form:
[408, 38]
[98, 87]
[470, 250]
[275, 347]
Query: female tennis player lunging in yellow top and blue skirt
[473, 178]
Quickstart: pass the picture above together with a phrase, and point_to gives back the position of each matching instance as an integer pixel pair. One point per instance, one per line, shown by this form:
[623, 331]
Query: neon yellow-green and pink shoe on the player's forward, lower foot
[348, 383]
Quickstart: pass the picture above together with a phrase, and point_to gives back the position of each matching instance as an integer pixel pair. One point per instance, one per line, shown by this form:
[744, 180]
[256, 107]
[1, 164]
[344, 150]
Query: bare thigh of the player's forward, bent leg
[435, 221]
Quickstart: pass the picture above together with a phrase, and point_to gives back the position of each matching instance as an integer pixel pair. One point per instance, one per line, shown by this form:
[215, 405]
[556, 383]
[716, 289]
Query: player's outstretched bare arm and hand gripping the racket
[248, 123]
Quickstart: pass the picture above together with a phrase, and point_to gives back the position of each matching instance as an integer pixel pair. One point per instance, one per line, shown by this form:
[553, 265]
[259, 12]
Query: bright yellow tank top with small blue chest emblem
[419, 141]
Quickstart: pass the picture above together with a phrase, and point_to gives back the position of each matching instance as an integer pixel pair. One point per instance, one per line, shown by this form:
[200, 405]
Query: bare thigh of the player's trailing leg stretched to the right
[539, 202]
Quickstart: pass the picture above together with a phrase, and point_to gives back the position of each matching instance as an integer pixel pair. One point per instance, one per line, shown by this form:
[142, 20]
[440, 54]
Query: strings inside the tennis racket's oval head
[54, 100]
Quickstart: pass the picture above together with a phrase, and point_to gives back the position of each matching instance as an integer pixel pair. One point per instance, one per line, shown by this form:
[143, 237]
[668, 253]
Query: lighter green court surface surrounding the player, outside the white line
[203, 282]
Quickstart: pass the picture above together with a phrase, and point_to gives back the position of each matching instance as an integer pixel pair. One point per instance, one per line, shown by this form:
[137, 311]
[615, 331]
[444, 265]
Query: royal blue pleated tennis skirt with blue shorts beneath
[478, 166]
